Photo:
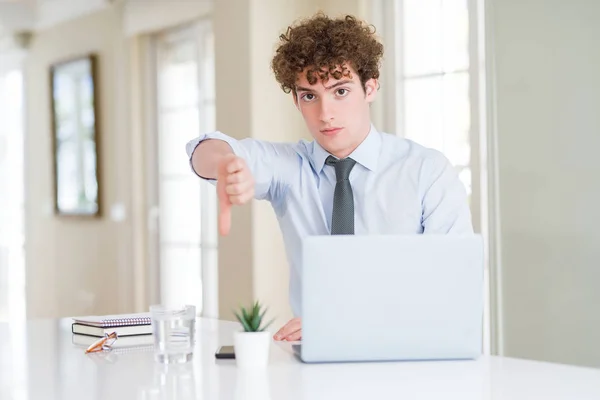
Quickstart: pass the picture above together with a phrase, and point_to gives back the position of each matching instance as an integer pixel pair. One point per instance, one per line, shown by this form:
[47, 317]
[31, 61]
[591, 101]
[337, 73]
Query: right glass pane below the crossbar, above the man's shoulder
[457, 118]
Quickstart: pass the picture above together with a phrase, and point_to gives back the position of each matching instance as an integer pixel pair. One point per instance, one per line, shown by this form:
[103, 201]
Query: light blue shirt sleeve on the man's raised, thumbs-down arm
[263, 158]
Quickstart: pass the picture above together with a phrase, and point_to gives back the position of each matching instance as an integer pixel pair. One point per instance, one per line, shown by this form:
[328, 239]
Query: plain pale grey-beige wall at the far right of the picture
[547, 63]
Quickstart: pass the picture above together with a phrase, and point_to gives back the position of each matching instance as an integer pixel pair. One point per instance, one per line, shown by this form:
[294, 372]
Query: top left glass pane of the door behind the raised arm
[178, 79]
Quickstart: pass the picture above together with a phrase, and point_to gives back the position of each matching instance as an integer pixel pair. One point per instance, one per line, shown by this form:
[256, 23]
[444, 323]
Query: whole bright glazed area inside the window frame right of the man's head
[434, 74]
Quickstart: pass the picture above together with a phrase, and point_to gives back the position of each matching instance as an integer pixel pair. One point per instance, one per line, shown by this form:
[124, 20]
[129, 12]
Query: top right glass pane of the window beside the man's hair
[455, 35]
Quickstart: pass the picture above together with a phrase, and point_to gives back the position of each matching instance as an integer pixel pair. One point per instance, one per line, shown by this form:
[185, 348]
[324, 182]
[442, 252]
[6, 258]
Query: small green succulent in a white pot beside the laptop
[252, 343]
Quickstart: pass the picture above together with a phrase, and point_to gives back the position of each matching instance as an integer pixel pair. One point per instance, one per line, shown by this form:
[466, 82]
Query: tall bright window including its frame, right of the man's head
[431, 81]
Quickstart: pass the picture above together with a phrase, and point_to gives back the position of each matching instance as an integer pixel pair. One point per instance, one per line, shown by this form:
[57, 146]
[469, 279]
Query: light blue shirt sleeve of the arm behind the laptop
[445, 204]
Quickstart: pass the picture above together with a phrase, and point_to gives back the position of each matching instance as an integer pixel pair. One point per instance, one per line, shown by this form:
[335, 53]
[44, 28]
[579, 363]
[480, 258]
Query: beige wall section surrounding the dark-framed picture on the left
[77, 266]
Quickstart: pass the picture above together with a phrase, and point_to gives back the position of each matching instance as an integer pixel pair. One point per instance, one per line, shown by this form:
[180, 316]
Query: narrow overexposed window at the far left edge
[12, 227]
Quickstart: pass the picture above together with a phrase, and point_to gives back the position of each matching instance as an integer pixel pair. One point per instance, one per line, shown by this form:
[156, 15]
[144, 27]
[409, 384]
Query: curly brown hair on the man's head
[325, 47]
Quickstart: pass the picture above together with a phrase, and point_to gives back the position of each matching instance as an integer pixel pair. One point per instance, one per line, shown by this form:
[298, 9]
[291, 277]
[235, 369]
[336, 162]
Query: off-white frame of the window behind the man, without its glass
[387, 16]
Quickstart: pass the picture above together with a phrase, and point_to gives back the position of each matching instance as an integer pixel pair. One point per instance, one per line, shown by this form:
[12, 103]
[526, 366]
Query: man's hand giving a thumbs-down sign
[235, 185]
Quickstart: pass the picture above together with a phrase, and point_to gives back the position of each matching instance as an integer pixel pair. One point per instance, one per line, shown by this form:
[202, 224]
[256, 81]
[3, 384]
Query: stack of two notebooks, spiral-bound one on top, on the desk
[124, 325]
